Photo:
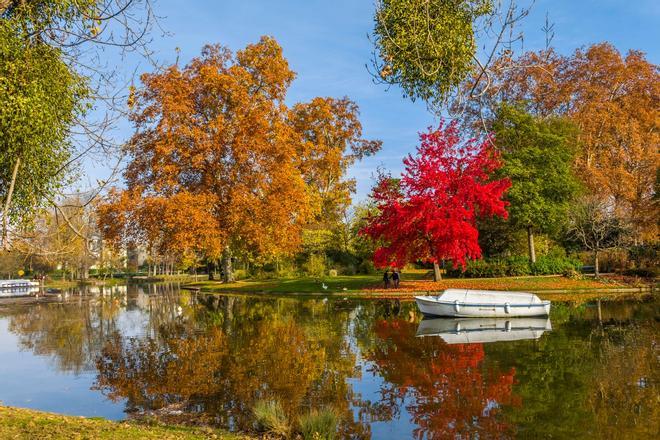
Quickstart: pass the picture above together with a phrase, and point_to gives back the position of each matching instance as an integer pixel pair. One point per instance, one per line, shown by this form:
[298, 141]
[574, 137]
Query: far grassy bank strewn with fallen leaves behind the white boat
[412, 282]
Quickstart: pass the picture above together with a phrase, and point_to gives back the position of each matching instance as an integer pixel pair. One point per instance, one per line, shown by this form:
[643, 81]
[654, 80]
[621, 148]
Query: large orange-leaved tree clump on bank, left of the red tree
[219, 164]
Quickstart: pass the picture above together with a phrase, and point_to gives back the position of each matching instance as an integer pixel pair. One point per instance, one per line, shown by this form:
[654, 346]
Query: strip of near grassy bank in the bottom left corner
[18, 423]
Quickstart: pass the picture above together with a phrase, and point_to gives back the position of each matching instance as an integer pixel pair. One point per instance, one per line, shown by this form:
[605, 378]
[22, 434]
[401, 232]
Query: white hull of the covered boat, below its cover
[433, 306]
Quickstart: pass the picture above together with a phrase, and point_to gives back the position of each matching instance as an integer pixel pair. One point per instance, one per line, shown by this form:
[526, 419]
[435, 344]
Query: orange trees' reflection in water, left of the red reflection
[236, 353]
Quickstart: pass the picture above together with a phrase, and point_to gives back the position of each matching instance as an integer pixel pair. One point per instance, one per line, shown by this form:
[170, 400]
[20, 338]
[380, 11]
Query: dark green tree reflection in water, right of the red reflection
[590, 377]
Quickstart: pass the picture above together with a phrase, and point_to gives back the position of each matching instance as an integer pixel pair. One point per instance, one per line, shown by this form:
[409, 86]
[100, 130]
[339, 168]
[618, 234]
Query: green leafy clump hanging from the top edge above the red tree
[427, 46]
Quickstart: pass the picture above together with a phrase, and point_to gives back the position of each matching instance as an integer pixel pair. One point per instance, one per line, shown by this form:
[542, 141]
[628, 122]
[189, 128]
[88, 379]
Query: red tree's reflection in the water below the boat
[447, 389]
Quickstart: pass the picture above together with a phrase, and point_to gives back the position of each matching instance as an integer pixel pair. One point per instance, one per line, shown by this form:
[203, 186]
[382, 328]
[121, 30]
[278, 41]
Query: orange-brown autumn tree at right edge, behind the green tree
[613, 99]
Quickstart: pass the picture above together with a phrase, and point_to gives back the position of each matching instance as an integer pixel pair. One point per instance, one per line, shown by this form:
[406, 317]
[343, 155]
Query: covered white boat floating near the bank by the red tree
[482, 304]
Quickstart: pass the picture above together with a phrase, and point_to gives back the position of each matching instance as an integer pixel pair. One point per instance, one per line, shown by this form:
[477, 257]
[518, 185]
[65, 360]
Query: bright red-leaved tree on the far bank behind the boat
[430, 213]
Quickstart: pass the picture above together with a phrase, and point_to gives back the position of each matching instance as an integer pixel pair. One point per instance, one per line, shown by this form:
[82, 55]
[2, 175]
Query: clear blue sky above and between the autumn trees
[326, 43]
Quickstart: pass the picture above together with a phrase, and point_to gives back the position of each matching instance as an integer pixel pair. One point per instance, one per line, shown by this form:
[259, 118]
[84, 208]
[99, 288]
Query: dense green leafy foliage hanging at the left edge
[40, 98]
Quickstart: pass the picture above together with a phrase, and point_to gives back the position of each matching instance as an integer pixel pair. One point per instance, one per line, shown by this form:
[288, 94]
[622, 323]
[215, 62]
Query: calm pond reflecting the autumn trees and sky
[591, 371]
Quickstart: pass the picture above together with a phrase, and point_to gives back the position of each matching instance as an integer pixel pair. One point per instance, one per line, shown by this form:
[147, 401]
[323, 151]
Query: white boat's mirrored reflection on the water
[479, 330]
